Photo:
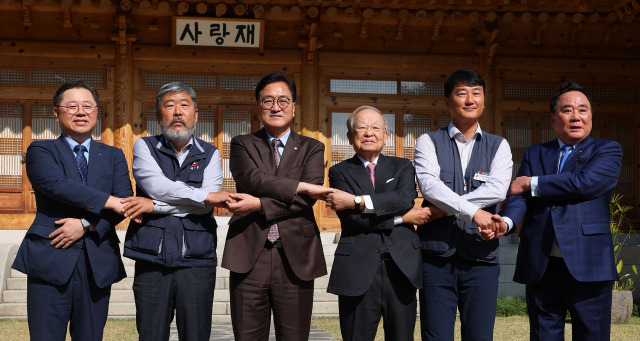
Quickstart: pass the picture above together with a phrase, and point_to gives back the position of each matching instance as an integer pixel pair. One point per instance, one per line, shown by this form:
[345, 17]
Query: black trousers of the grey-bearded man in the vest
[159, 291]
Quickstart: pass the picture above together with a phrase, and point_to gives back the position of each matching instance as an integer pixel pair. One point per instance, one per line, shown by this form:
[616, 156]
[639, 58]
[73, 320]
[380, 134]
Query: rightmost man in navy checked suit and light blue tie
[561, 195]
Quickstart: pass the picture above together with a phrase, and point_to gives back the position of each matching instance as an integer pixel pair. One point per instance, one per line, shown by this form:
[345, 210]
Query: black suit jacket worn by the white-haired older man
[356, 258]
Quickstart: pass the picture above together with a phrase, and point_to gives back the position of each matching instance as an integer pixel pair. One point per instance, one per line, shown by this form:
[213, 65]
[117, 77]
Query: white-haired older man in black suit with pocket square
[377, 266]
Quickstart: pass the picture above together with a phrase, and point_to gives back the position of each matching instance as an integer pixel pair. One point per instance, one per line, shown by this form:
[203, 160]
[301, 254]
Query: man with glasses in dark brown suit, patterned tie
[273, 246]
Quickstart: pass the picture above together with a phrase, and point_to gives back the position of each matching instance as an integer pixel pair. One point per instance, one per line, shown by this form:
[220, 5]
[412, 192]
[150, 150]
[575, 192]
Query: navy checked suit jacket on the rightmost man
[573, 206]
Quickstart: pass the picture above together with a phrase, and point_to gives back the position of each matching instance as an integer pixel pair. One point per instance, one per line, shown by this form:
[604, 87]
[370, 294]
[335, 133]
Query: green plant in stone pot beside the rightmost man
[622, 300]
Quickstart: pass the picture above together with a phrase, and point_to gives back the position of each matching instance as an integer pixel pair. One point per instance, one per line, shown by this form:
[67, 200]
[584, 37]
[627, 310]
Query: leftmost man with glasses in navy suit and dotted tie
[70, 253]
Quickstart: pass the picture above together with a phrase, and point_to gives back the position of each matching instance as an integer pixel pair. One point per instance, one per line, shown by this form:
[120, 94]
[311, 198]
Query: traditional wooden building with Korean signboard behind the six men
[392, 54]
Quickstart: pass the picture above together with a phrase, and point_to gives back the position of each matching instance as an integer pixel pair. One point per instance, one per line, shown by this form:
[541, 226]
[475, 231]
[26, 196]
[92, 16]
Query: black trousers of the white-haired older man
[392, 296]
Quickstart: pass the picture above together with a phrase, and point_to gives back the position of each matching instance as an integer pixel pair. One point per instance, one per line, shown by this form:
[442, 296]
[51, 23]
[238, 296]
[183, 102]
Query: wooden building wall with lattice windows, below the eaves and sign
[331, 83]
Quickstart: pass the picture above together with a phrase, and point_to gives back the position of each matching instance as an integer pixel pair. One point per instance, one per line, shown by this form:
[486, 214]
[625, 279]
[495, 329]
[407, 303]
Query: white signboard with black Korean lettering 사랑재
[216, 32]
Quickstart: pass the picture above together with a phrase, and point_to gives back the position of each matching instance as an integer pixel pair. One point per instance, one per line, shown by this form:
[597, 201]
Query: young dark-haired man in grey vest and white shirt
[463, 174]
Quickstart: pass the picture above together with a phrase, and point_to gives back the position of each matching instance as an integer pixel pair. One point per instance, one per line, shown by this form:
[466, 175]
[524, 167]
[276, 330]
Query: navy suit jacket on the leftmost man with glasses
[59, 192]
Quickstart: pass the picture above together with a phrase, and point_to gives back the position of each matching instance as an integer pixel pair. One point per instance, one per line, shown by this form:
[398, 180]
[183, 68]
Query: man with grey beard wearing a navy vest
[179, 180]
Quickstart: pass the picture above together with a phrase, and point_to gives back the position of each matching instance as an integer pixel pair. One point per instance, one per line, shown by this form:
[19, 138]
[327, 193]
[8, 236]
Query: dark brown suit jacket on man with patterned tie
[253, 167]
